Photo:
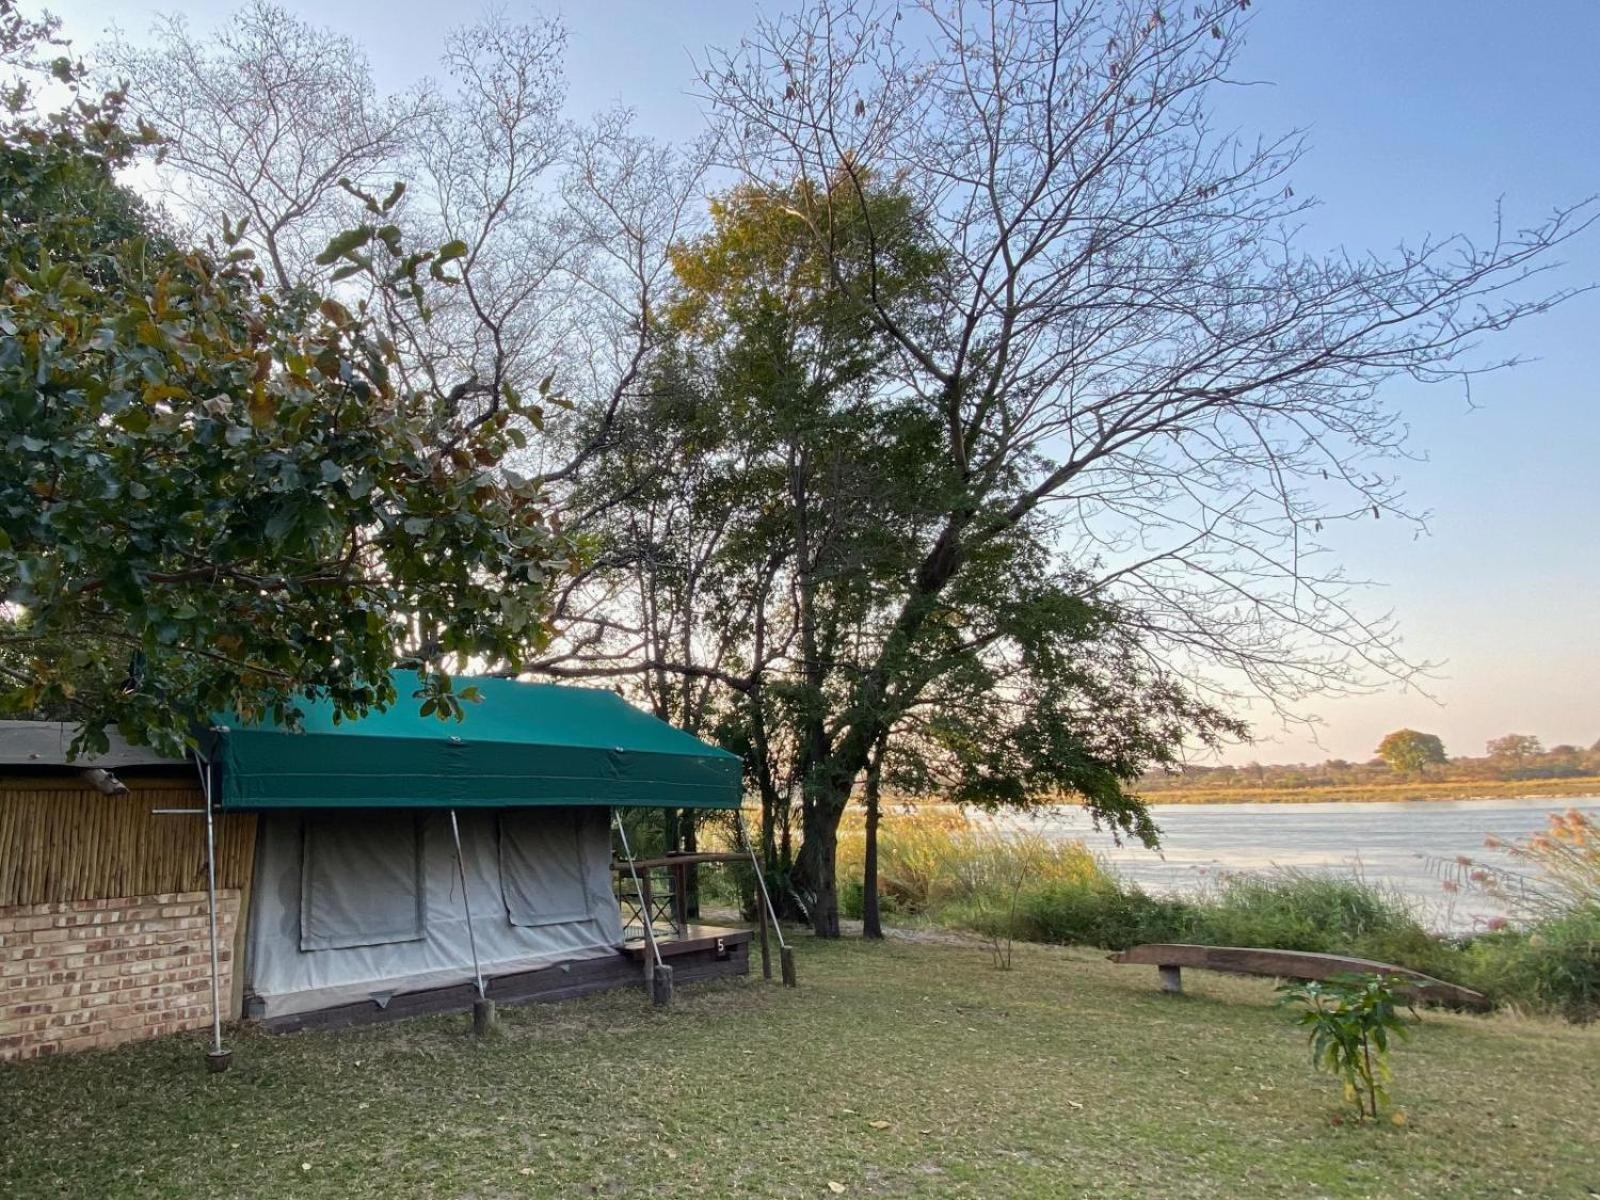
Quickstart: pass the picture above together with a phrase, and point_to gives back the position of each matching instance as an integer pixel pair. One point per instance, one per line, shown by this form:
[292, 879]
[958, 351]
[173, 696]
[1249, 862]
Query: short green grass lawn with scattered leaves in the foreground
[1065, 1078]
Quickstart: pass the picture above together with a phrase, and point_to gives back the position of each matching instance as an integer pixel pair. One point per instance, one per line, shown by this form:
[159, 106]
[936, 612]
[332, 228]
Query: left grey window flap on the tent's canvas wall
[361, 881]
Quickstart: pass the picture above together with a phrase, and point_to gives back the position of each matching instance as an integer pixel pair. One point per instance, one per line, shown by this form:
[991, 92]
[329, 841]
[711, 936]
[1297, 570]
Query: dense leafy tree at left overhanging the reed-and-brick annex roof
[215, 494]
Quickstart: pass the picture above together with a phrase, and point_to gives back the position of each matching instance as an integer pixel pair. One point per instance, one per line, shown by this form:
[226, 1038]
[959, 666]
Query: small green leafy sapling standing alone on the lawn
[1351, 1023]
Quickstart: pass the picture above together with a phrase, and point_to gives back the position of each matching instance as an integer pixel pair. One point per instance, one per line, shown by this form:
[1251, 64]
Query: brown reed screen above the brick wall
[62, 841]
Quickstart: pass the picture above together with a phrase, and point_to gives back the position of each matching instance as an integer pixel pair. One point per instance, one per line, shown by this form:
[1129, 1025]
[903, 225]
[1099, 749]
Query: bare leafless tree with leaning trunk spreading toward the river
[1126, 350]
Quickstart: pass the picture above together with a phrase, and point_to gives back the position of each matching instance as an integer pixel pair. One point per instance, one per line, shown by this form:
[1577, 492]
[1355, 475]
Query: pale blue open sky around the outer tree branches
[1422, 116]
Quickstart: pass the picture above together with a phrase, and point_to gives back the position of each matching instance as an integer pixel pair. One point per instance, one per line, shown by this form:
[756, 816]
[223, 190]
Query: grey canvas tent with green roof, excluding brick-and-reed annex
[359, 890]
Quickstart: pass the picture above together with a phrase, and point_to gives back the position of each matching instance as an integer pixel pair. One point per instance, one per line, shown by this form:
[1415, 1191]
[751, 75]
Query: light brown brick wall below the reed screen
[98, 972]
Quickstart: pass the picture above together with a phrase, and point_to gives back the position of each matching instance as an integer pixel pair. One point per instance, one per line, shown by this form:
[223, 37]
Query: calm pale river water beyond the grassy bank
[1410, 847]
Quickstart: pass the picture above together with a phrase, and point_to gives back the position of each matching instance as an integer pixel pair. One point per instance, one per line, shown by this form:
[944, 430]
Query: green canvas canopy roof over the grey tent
[524, 745]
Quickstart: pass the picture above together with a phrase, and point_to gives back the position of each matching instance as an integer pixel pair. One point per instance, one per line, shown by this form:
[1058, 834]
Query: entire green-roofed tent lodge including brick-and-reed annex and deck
[354, 870]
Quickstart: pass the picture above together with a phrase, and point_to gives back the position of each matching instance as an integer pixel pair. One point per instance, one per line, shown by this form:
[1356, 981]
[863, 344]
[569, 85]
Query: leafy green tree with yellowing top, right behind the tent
[770, 506]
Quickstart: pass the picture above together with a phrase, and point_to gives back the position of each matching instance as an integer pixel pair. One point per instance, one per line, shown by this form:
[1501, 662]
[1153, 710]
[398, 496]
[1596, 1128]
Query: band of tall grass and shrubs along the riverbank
[938, 865]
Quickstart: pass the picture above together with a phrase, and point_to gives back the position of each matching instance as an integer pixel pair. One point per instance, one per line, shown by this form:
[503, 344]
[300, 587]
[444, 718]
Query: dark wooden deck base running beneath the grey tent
[710, 954]
